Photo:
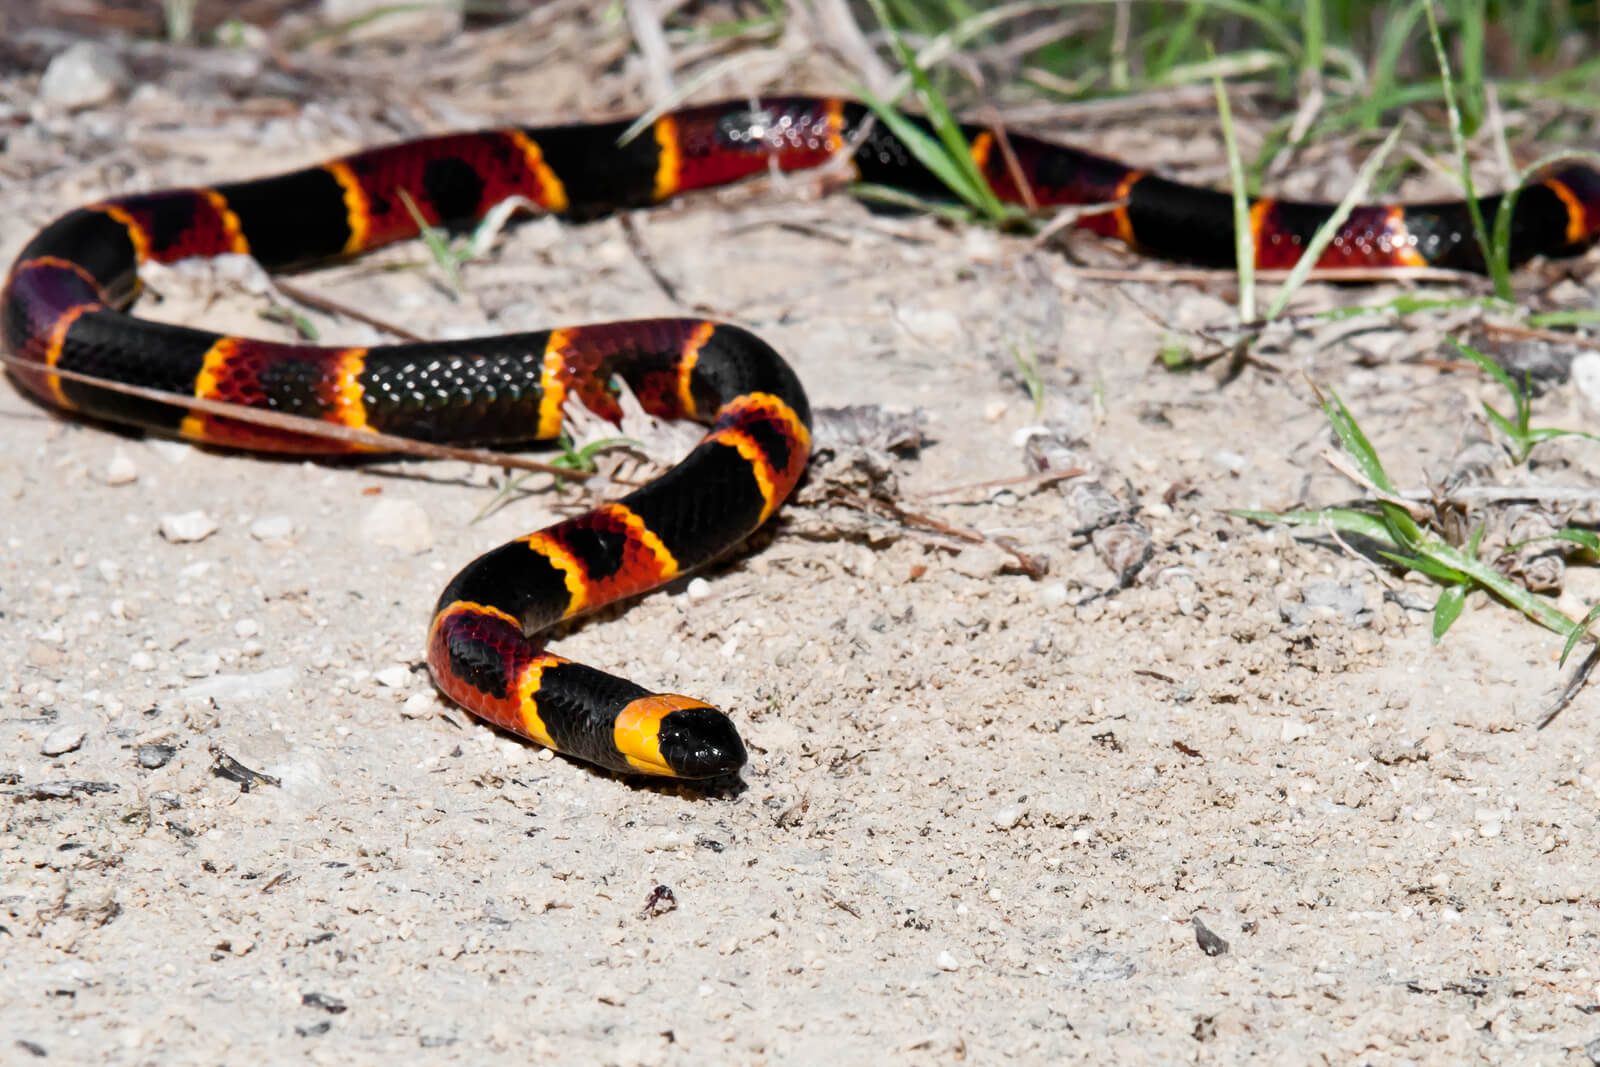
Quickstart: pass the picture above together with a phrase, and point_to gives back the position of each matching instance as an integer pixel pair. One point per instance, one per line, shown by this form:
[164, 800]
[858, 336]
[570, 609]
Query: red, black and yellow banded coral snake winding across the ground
[65, 298]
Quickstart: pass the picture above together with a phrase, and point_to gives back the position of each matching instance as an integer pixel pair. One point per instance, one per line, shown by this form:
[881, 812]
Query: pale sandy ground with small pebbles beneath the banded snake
[988, 813]
